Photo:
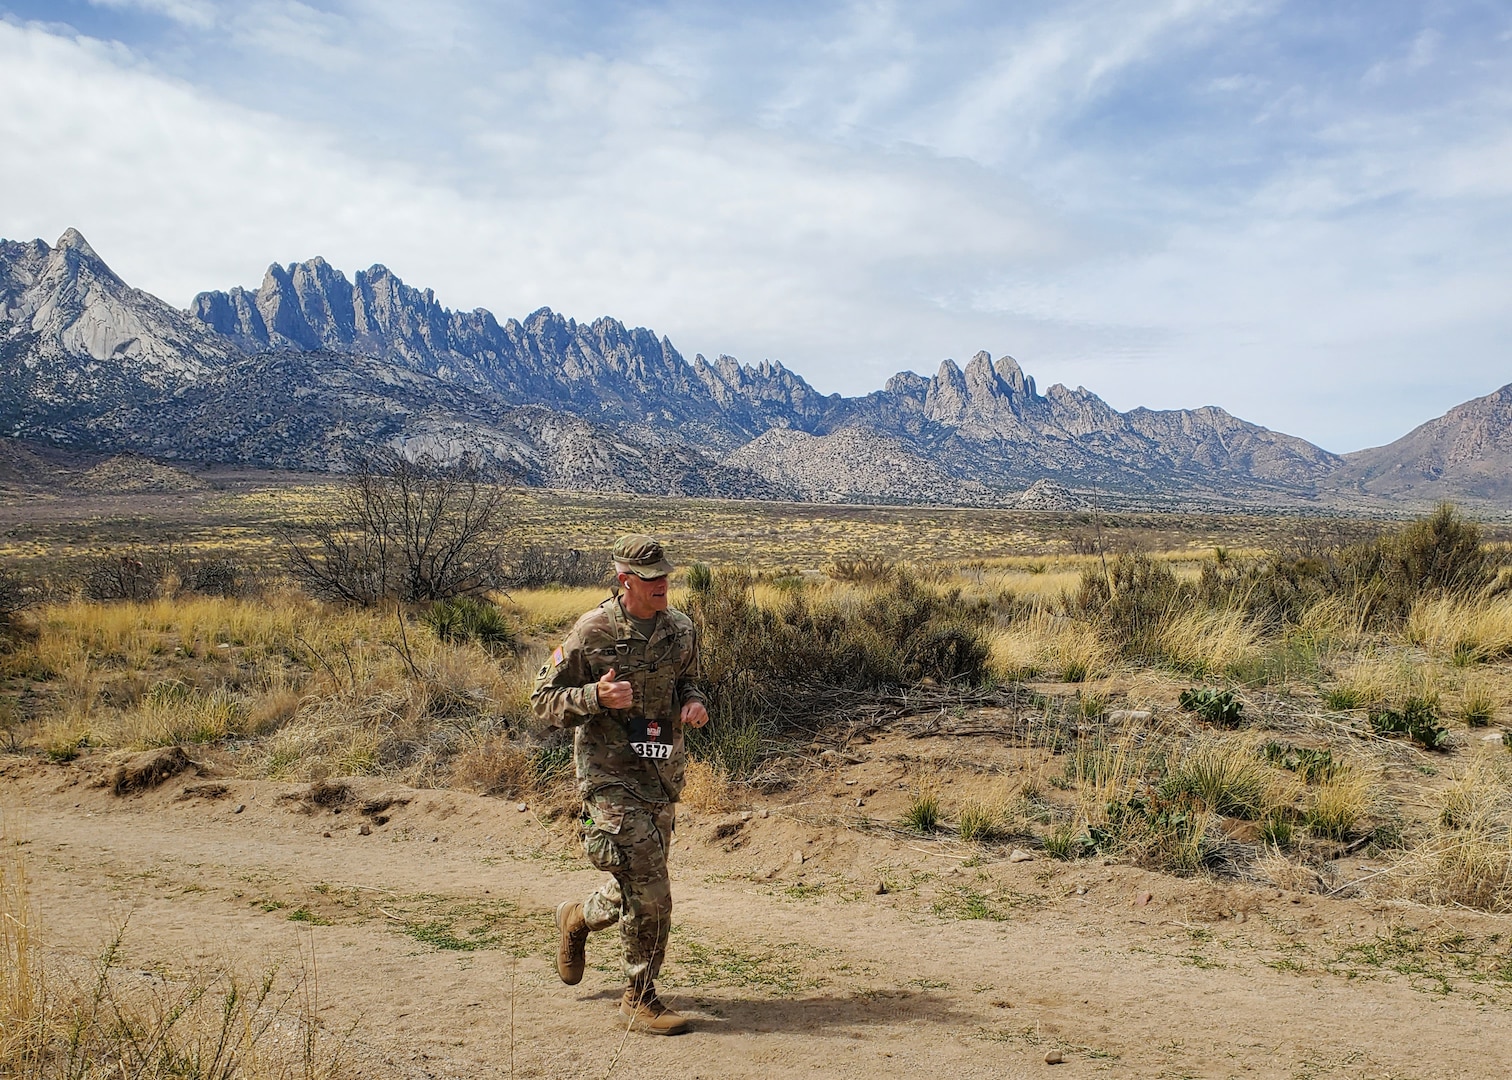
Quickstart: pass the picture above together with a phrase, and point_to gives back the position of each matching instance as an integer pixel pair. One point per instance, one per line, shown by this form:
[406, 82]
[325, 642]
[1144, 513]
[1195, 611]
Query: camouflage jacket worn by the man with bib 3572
[639, 748]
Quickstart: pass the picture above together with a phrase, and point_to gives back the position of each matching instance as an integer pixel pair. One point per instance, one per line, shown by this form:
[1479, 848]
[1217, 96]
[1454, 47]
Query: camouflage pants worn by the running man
[631, 840]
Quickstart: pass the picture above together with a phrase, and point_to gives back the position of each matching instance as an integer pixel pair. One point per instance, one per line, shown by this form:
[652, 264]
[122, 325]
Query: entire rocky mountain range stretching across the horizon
[312, 365]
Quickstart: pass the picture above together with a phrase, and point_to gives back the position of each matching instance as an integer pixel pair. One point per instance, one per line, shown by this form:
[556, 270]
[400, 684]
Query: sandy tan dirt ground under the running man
[435, 928]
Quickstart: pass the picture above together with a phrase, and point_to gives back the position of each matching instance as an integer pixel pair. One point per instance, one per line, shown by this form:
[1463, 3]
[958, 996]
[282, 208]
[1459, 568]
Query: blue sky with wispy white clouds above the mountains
[1300, 213]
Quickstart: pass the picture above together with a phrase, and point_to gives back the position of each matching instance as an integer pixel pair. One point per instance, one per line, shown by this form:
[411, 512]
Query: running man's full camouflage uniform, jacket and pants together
[630, 765]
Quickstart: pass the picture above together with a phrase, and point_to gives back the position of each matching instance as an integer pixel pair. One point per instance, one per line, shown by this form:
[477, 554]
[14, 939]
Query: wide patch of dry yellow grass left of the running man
[324, 691]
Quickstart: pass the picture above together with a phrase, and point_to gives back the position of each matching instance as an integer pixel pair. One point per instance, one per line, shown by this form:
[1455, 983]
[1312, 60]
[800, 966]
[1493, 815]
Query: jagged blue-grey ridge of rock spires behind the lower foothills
[610, 373]
